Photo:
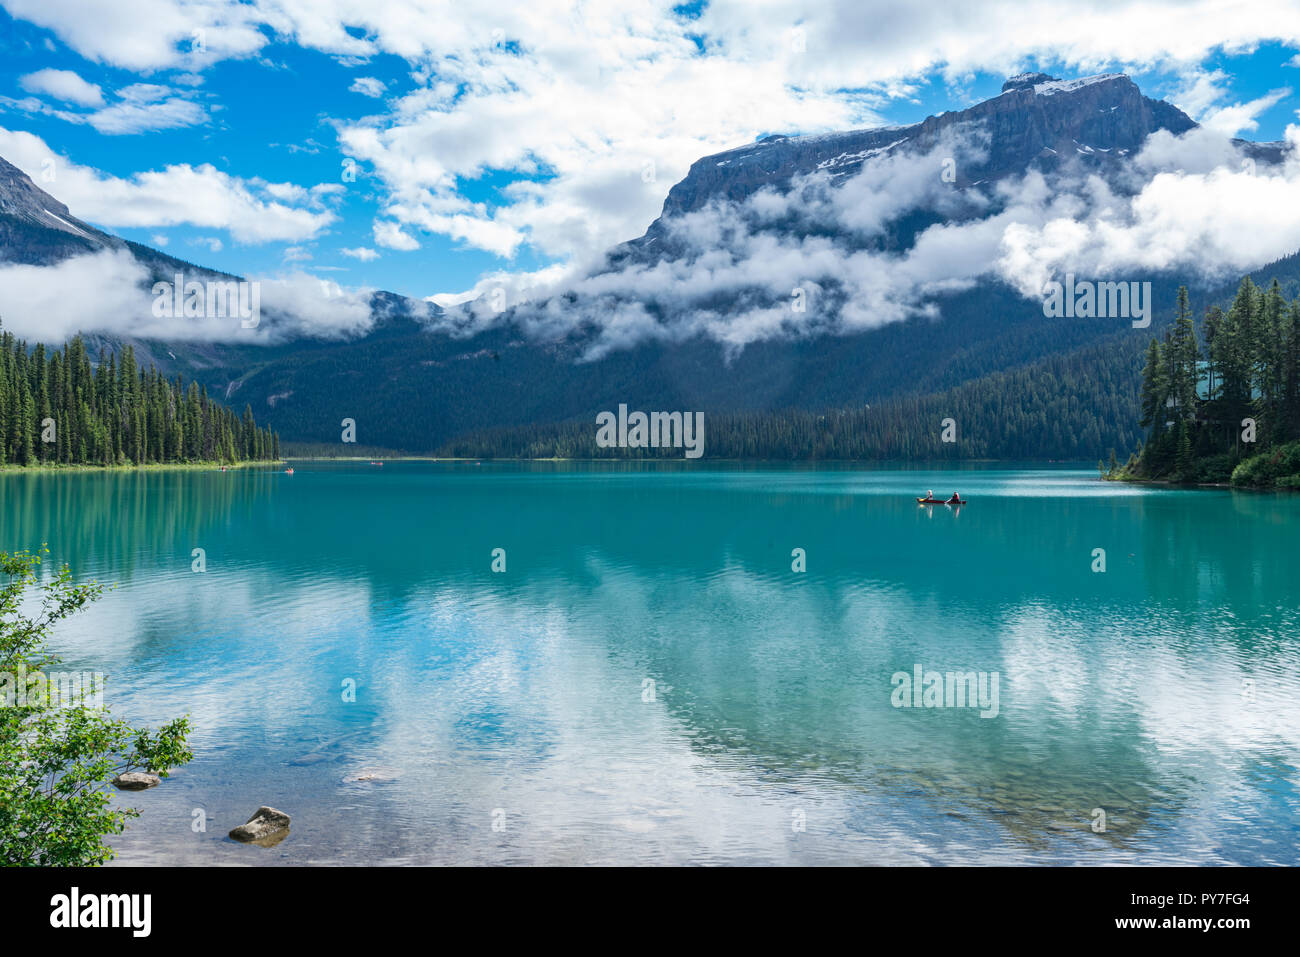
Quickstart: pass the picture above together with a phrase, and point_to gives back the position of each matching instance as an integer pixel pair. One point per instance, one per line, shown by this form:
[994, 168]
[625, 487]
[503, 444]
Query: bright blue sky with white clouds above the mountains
[535, 144]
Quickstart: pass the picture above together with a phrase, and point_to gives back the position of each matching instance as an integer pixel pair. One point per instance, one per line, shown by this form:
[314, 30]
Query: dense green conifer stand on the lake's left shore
[58, 409]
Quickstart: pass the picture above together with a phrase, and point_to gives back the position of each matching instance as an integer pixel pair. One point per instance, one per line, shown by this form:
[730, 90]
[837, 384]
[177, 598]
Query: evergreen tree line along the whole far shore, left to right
[1219, 405]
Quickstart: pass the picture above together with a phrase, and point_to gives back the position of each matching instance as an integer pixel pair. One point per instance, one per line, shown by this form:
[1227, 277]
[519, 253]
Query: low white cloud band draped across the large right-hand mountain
[807, 262]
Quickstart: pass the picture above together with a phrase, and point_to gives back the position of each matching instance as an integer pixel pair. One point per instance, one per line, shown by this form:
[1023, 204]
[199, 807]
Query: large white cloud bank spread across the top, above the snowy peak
[596, 110]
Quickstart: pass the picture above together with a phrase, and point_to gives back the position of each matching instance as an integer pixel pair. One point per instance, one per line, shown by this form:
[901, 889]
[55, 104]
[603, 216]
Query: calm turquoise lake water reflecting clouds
[651, 682]
